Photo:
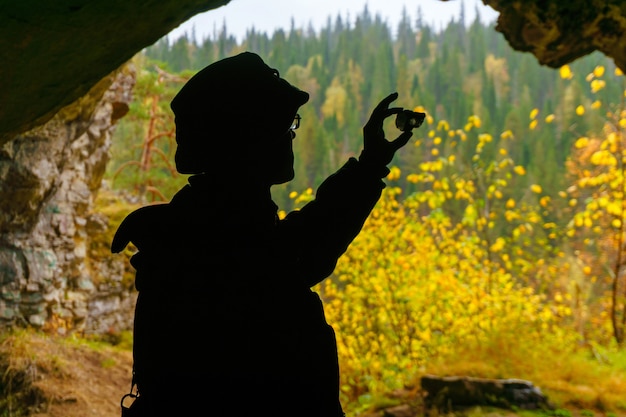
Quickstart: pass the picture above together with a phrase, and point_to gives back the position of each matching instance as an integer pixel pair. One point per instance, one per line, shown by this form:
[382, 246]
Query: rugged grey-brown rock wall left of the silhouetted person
[49, 177]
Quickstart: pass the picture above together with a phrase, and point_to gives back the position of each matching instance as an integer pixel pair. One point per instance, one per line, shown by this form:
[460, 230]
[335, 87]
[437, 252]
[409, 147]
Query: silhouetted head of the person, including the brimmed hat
[236, 114]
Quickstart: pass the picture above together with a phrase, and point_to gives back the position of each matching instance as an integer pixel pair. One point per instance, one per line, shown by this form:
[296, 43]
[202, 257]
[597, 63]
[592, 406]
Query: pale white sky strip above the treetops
[269, 15]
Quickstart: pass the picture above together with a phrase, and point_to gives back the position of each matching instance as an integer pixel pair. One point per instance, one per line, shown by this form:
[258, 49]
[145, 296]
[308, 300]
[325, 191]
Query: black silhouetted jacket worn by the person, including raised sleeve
[225, 294]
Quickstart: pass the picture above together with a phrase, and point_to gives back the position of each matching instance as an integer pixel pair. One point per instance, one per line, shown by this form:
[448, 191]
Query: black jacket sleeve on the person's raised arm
[324, 228]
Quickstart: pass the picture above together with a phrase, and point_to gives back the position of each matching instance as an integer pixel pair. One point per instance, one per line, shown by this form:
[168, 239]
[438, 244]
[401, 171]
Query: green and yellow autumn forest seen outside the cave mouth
[497, 249]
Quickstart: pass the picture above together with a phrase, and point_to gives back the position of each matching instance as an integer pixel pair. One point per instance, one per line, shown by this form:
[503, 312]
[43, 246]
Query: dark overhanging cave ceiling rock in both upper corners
[53, 52]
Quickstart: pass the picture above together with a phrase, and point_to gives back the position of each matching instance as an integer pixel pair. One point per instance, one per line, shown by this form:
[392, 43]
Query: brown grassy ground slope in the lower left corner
[44, 376]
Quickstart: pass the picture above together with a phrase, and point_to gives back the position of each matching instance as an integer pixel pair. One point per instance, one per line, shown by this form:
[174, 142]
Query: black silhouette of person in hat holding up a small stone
[226, 323]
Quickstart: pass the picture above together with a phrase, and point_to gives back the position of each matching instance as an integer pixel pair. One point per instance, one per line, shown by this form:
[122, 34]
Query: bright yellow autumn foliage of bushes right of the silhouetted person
[454, 267]
